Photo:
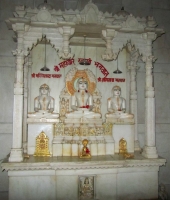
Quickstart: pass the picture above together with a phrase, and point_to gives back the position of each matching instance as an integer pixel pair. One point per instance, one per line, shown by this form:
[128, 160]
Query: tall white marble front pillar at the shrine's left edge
[16, 154]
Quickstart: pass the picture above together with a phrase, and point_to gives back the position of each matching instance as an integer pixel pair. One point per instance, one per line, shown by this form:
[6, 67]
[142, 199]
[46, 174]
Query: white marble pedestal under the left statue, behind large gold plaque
[35, 127]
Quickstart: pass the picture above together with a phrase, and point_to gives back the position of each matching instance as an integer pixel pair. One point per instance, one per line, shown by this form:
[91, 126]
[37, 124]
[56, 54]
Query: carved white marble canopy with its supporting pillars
[63, 28]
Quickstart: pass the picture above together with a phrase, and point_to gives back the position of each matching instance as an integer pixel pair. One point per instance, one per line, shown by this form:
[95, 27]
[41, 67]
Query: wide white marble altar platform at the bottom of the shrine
[115, 178]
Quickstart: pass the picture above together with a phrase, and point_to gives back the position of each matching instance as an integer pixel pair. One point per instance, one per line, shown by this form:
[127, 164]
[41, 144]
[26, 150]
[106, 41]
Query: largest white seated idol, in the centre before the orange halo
[82, 102]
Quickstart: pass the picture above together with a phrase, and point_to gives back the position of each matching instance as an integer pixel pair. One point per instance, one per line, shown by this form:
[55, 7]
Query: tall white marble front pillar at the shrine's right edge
[150, 145]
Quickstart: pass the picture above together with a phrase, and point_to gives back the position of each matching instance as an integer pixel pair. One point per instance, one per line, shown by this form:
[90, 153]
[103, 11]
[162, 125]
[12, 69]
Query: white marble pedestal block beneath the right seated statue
[126, 132]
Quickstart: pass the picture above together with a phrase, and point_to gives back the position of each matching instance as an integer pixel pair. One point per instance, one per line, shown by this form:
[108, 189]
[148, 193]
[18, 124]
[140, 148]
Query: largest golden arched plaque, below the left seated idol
[42, 148]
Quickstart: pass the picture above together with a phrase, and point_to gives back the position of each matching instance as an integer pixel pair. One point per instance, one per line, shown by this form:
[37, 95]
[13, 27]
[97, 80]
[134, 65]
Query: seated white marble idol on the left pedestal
[44, 104]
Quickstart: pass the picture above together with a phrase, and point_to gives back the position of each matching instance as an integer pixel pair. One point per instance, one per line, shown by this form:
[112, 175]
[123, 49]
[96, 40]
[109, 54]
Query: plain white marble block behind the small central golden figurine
[72, 145]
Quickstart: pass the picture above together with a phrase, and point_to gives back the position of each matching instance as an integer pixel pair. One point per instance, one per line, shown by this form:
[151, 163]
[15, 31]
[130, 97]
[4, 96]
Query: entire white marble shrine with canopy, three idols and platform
[75, 125]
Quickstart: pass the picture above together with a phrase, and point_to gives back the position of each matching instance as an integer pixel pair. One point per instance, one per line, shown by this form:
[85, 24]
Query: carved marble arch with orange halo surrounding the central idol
[68, 90]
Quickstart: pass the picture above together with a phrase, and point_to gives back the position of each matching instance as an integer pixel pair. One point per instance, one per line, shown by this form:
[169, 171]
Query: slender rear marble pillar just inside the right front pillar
[133, 99]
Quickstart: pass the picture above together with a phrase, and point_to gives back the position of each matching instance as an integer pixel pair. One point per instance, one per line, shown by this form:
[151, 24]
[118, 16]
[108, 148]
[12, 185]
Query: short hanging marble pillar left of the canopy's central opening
[66, 32]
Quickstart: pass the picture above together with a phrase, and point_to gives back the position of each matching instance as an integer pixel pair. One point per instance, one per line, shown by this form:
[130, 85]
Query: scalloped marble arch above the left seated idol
[35, 35]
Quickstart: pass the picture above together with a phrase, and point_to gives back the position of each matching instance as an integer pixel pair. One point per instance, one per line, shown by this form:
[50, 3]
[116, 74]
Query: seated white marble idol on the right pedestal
[116, 105]
